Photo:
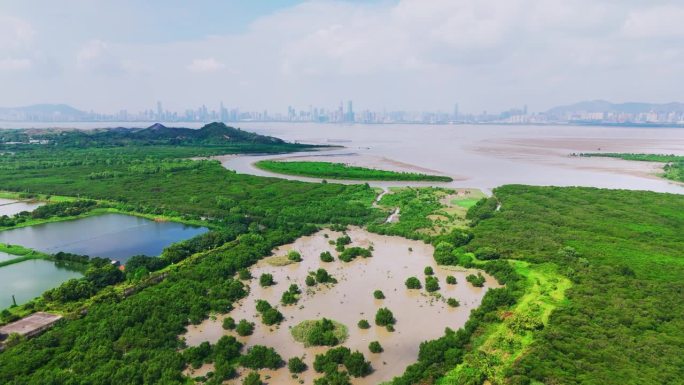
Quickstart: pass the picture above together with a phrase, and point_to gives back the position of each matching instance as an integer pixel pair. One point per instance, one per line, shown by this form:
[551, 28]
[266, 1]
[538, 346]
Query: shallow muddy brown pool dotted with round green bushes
[419, 316]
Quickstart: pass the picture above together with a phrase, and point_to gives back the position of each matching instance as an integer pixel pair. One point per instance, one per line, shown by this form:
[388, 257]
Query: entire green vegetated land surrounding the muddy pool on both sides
[593, 278]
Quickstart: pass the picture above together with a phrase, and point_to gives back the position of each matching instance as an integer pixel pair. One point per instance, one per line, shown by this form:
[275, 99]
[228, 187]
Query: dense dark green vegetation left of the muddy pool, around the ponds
[133, 338]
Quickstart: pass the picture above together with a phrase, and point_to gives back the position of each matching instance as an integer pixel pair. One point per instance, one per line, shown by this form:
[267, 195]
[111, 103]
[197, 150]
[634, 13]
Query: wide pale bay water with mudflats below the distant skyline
[482, 156]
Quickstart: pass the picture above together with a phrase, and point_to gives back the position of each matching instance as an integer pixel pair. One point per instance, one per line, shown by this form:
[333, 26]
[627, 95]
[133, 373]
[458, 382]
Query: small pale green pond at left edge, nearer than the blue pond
[29, 279]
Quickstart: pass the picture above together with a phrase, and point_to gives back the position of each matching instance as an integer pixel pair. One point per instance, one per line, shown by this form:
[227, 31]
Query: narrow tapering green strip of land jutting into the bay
[329, 170]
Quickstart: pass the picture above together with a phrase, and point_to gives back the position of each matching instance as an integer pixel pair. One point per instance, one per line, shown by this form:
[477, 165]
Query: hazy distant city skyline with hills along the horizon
[595, 111]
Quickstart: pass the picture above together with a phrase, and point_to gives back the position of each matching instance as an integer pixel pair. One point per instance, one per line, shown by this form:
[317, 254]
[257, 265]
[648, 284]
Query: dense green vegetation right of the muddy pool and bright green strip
[623, 253]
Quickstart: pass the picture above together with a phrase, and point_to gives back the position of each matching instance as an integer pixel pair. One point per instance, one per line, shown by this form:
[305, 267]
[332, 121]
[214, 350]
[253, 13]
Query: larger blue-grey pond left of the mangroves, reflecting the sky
[114, 236]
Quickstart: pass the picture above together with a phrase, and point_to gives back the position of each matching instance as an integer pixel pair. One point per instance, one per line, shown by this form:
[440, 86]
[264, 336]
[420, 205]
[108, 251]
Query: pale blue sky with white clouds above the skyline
[395, 55]
